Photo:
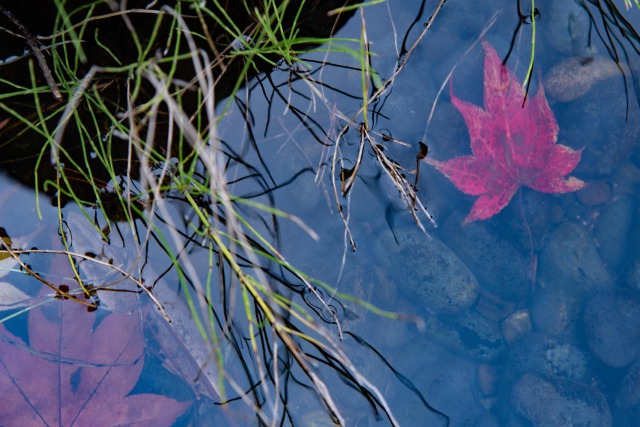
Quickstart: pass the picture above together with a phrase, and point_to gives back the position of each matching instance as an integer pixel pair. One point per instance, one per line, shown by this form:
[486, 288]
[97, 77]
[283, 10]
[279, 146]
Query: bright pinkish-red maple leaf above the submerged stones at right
[512, 144]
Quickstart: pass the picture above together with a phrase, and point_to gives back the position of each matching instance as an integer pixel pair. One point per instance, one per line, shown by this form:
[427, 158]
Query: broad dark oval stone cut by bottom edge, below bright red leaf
[548, 403]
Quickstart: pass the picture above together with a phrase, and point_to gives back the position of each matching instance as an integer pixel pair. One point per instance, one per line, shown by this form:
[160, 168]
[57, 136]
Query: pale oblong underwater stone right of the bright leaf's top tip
[574, 77]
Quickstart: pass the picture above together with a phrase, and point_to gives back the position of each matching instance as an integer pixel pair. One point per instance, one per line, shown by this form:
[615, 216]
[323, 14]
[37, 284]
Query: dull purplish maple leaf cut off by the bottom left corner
[70, 374]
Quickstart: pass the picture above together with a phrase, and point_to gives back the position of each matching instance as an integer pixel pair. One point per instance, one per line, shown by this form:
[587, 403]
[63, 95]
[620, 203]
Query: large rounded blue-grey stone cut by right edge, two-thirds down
[612, 327]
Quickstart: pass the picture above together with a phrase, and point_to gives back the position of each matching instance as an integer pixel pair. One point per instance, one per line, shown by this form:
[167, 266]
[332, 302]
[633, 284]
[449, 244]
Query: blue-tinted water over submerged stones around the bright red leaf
[531, 317]
